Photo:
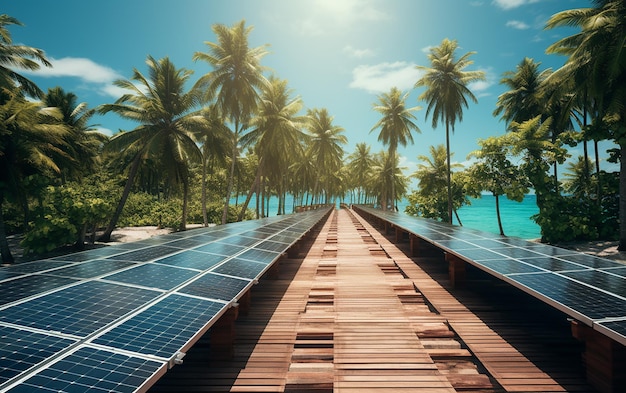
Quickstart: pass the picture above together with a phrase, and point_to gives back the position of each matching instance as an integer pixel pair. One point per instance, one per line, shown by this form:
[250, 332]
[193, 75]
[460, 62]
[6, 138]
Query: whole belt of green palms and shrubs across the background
[240, 133]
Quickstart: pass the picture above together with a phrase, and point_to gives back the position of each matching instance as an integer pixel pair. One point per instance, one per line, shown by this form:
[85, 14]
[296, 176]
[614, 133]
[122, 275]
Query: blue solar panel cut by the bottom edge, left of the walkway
[93, 370]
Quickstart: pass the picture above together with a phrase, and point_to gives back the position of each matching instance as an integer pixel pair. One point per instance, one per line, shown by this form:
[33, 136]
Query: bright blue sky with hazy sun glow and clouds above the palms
[335, 54]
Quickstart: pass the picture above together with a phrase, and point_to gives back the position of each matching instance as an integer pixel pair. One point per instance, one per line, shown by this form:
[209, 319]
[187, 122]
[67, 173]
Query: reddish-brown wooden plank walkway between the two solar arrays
[355, 314]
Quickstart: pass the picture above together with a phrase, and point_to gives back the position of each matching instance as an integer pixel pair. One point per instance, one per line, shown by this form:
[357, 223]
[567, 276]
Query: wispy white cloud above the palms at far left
[96, 76]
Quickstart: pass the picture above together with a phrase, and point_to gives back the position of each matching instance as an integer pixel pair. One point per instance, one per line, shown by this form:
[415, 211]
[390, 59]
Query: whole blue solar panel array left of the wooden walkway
[116, 318]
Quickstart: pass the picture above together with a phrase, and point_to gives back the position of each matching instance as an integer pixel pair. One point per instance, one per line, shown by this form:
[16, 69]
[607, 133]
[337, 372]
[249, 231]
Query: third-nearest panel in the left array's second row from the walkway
[153, 276]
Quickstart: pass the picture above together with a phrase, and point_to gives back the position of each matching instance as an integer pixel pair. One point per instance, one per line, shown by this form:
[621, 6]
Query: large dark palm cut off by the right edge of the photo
[599, 49]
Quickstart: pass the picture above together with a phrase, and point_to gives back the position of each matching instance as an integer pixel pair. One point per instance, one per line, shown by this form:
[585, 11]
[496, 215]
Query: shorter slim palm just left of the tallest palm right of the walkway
[395, 126]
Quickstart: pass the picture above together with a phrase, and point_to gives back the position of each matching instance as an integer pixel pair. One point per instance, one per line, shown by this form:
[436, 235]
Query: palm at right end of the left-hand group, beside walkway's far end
[325, 146]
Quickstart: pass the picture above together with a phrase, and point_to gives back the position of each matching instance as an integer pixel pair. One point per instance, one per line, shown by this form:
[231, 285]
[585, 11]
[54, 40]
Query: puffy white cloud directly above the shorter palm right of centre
[380, 78]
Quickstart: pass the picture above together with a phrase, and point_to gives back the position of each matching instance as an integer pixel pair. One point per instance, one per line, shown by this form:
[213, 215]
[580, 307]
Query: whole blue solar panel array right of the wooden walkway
[589, 289]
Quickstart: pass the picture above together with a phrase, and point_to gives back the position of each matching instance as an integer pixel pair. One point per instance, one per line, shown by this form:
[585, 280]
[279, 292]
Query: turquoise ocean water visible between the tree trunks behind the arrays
[481, 214]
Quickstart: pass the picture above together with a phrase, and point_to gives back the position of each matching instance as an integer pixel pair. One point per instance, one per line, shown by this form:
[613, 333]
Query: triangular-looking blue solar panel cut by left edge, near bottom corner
[22, 349]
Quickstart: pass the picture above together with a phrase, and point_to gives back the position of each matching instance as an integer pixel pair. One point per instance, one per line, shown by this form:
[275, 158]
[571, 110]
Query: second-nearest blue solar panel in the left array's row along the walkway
[165, 328]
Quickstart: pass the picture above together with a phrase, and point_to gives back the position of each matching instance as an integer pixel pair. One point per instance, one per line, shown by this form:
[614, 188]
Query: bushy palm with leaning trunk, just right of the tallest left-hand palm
[277, 135]
